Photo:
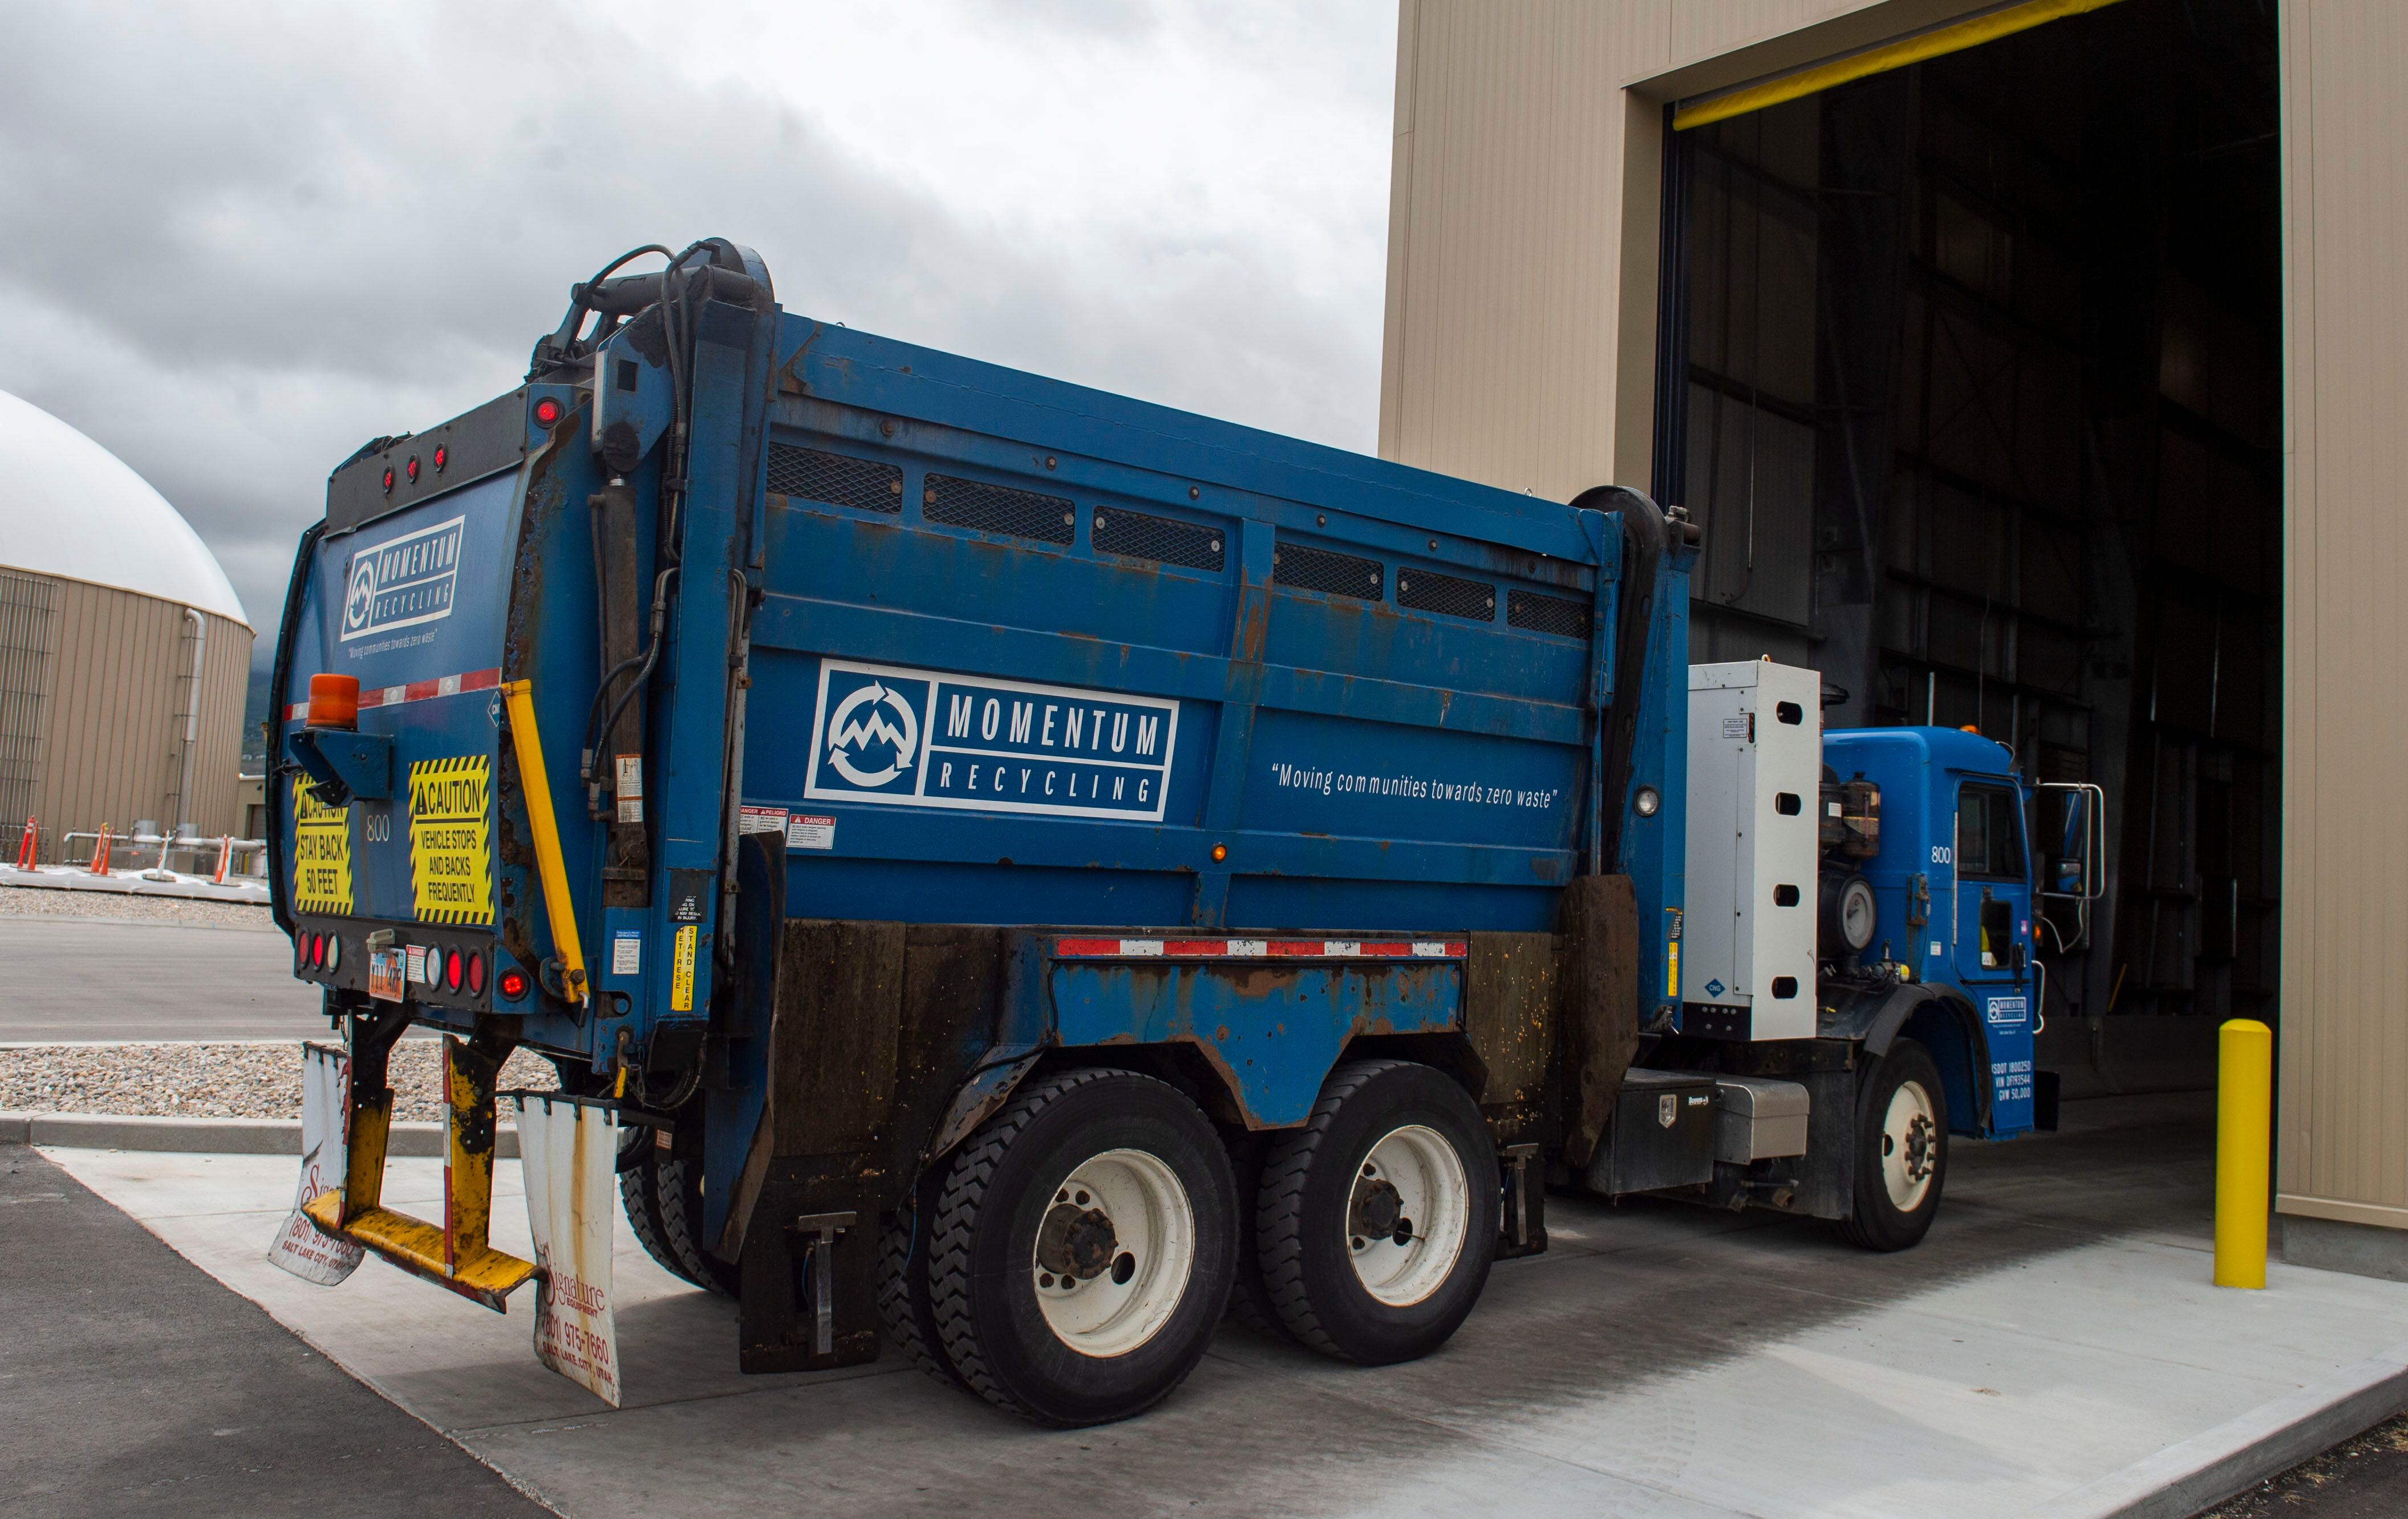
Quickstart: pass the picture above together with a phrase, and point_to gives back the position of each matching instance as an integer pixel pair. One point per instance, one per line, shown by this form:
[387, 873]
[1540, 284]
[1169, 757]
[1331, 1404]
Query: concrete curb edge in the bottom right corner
[2241, 1453]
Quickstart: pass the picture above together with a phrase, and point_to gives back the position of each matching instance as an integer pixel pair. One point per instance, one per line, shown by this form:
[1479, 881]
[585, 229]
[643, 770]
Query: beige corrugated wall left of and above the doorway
[1523, 203]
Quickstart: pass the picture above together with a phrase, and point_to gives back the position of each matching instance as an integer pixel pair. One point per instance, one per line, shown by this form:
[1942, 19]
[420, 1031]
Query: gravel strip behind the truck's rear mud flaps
[220, 1080]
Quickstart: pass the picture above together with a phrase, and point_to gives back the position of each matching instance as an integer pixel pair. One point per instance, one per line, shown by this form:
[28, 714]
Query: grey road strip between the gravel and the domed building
[66, 979]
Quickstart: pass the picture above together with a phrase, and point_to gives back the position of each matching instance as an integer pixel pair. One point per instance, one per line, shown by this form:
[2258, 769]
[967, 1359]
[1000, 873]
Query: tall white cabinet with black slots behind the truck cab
[1754, 781]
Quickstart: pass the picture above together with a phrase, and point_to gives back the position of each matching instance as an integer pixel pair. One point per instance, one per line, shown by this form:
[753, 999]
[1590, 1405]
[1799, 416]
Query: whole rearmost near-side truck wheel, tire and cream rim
[1082, 1248]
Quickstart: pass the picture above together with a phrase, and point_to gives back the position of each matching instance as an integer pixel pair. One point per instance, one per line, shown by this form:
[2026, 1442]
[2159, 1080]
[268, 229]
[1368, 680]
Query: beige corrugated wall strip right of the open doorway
[2344, 1121]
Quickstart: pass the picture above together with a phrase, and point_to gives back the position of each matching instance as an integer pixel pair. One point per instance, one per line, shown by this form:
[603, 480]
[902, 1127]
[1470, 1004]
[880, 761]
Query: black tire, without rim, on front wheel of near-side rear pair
[1309, 1195]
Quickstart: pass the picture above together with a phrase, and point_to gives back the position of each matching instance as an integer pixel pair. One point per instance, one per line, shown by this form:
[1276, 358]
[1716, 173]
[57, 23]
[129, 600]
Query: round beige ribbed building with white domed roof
[124, 651]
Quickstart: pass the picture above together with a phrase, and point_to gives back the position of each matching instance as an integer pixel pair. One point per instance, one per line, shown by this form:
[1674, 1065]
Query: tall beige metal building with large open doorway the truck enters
[2031, 367]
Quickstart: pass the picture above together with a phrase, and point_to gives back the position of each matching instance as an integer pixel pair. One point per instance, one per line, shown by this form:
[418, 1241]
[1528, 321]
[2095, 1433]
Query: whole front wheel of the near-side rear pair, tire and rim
[1379, 1219]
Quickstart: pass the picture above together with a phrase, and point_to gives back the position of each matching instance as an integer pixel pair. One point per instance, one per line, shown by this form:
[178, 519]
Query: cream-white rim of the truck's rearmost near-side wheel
[1152, 1227]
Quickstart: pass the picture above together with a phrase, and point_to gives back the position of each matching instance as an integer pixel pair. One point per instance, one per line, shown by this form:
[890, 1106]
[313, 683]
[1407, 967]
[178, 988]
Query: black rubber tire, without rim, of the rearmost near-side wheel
[984, 1248]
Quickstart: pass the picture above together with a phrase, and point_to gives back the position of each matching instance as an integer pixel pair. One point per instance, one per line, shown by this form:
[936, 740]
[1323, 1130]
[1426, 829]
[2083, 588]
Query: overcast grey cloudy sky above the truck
[249, 237]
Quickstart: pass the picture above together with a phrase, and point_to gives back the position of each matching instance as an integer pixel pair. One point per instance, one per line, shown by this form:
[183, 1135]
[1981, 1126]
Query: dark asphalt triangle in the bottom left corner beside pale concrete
[136, 1385]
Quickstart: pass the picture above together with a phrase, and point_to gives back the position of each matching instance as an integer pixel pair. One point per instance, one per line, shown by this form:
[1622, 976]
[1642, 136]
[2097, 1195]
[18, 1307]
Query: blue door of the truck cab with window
[1995, 935]
